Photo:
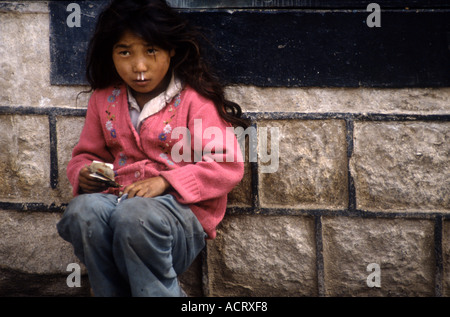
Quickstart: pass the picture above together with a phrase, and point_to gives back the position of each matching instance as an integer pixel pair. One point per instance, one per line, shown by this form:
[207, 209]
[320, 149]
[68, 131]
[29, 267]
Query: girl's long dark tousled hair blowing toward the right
[159, 24]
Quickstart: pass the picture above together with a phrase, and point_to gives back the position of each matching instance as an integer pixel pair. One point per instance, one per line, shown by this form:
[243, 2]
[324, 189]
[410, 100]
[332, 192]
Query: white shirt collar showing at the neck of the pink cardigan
[154, 105]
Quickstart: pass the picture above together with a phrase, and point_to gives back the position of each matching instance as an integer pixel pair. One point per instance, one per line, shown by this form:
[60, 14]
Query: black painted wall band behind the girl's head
[294, 47]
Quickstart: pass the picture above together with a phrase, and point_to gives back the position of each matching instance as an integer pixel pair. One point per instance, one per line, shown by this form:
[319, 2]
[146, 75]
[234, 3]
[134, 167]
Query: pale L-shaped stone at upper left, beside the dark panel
[25, 70]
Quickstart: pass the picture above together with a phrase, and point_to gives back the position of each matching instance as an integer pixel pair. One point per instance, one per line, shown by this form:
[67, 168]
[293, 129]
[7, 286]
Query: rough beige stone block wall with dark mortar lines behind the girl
[363, 178]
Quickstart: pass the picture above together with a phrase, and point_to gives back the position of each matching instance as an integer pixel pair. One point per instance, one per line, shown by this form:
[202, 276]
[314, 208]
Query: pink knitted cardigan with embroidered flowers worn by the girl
[202, 182]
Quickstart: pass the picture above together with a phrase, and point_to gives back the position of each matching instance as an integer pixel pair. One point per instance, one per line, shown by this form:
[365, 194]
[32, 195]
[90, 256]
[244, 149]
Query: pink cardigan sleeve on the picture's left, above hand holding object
[91, 146]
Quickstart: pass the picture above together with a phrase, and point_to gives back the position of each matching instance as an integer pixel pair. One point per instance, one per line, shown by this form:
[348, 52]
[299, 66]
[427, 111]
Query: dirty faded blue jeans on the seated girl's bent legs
[133, 248]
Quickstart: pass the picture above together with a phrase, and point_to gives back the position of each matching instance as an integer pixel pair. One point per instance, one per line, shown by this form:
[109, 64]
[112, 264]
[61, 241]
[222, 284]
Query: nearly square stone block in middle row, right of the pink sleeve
[312, 170]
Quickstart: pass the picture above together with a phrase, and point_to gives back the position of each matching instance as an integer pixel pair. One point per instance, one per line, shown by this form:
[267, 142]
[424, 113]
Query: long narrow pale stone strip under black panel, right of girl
[348, 100]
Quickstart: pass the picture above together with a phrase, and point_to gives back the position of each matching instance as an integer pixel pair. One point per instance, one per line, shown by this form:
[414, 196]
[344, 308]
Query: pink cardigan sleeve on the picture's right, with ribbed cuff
[218, 164]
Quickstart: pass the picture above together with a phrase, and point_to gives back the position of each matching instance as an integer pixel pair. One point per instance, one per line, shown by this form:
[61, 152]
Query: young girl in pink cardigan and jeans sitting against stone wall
[149, 79]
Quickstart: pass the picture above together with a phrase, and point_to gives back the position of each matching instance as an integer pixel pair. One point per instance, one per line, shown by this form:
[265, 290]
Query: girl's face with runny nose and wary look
[142, 66]
